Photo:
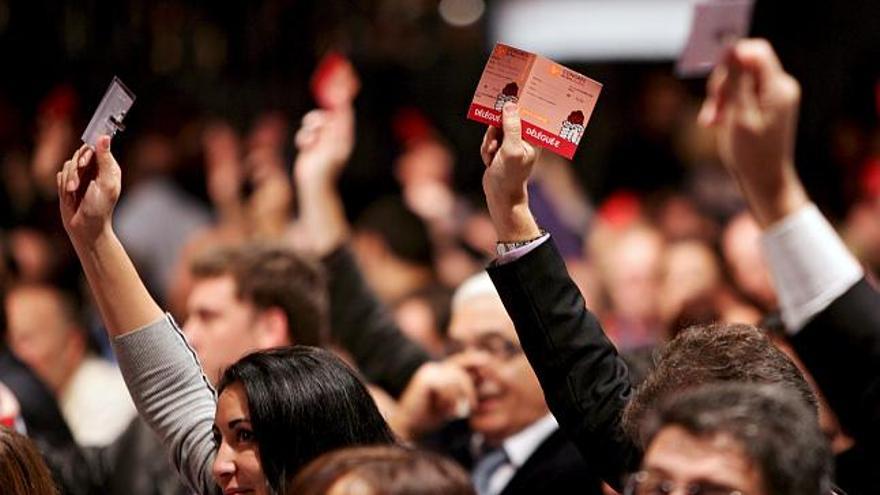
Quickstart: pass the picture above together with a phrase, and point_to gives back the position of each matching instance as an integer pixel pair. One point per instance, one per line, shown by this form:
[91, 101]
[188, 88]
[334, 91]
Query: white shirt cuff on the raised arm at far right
[810, 265]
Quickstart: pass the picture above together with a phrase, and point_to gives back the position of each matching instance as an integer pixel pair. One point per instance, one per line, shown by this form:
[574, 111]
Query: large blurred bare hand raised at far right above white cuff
[752, 103]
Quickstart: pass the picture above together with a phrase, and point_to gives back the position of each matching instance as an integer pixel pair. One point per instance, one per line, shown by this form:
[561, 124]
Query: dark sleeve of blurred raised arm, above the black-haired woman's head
[363, 326]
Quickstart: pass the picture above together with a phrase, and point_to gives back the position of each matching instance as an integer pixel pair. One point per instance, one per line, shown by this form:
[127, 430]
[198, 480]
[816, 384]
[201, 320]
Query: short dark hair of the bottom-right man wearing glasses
[772, 424]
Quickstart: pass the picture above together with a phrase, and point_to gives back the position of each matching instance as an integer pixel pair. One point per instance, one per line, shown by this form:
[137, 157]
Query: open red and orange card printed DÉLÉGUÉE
[555, 102]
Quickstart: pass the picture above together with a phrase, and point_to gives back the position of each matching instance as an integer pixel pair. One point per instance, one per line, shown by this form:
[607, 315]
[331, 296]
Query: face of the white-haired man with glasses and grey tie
[509, 397]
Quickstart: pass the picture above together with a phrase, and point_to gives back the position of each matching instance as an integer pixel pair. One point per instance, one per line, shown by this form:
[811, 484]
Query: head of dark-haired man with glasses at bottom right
[733, 438]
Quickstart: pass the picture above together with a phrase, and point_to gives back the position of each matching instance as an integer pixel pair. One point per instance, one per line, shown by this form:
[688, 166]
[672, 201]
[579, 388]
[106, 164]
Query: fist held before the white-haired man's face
[438, 392]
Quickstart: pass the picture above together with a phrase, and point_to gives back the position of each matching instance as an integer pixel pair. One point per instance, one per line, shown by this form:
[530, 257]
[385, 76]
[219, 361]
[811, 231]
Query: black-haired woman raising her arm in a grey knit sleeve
[276, 409]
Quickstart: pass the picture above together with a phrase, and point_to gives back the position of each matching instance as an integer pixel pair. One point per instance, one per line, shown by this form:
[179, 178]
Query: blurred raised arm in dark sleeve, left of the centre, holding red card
[361, 324]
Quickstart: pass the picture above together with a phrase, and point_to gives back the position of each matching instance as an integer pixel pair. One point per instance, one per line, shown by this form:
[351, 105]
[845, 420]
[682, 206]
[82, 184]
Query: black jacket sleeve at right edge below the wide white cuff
[841, 348]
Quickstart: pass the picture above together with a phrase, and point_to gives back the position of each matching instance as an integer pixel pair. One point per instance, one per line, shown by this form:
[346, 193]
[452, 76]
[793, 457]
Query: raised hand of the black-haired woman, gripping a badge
[86, 215]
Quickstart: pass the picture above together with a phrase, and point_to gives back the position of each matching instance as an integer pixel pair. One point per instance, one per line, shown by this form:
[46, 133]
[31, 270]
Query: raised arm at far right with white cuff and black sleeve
[831, 312]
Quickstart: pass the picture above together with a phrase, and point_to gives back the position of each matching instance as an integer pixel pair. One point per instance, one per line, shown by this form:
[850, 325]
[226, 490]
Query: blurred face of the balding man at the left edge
[41, 337]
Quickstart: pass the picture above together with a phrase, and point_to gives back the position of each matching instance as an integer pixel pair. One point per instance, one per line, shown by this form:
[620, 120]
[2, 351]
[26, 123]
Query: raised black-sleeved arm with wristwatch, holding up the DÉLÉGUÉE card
[585, 382]
